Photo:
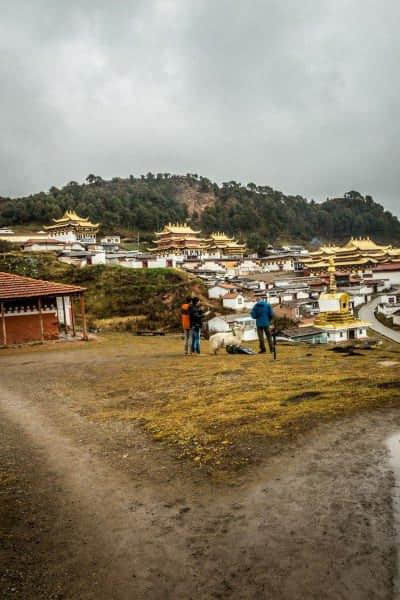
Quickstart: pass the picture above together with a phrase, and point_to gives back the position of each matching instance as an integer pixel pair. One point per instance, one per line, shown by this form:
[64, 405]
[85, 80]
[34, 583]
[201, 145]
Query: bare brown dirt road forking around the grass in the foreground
[93, 512]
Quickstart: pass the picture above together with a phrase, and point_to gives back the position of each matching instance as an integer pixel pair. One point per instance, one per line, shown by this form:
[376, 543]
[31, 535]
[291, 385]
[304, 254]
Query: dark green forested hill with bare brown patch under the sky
[255, 213]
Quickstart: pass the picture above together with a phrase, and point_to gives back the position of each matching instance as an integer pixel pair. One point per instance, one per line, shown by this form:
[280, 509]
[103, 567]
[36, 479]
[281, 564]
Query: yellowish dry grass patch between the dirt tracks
[217, 410]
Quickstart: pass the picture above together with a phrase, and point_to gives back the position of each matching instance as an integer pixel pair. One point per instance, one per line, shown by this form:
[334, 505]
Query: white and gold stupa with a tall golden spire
[335, 316]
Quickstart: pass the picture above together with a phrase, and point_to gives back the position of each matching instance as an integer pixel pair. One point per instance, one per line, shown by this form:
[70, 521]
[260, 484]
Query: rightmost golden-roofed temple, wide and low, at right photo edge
[358, 254]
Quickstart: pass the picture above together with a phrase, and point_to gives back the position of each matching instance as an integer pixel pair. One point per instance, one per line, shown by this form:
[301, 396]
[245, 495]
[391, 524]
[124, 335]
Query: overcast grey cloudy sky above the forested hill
[302, 95]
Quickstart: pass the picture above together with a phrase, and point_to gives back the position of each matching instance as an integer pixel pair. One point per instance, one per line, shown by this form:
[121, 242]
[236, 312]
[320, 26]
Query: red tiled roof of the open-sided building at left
[16, 286]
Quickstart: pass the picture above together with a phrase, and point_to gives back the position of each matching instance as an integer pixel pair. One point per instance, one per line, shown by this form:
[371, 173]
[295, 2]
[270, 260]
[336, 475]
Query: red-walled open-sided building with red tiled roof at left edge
[33, 309]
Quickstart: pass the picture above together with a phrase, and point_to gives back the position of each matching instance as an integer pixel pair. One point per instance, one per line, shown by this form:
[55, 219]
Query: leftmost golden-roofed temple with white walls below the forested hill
[72, 228]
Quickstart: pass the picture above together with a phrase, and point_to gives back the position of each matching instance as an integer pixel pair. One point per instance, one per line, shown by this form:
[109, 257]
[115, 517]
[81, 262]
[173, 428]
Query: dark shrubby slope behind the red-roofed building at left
[113, 290]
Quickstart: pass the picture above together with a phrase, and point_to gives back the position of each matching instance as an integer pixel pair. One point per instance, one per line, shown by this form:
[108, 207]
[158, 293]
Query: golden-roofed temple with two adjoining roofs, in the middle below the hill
[181, 239]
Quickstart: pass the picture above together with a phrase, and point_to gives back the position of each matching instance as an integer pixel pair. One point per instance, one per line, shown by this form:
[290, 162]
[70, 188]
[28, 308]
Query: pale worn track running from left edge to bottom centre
[125, 545]
